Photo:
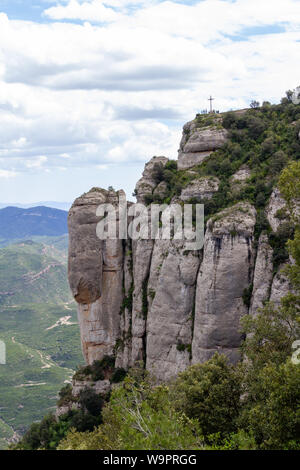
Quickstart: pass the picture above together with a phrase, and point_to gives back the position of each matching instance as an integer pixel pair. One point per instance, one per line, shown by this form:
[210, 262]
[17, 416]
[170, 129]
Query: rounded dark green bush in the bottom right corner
[272, 408]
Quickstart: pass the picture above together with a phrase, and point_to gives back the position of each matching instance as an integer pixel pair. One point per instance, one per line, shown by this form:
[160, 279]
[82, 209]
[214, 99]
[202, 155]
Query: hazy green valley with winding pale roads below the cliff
[38, 324]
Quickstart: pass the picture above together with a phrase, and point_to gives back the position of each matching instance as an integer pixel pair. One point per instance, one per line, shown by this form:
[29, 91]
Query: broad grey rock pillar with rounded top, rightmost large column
[225, 272]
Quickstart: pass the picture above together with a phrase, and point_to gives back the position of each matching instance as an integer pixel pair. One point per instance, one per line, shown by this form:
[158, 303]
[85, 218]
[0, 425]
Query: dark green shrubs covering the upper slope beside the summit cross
[265, 139]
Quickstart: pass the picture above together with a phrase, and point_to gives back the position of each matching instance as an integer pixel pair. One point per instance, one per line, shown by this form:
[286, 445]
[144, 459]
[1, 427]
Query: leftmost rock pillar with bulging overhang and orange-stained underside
[95, 275]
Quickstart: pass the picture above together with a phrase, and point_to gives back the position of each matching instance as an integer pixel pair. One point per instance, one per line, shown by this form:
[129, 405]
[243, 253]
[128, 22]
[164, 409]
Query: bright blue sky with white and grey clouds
[90, 90]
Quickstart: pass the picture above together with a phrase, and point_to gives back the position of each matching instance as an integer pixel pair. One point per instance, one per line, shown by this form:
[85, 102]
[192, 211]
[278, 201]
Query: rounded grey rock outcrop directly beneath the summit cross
[198, 143]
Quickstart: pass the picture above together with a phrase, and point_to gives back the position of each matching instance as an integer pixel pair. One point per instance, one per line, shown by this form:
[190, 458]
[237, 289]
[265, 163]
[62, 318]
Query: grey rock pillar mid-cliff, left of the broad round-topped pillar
[170, 317]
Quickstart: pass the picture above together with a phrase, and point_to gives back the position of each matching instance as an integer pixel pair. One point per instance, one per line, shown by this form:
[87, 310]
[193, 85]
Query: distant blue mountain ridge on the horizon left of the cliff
[17, 223]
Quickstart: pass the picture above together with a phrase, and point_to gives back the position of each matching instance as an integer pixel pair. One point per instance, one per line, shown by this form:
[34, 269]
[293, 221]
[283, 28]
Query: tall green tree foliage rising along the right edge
[271, 382]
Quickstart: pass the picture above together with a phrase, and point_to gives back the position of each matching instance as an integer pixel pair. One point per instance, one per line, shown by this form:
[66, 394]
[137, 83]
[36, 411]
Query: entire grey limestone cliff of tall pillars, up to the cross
[153, 301]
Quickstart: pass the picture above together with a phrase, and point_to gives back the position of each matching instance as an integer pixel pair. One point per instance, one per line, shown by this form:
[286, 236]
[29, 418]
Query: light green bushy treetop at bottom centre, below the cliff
[139, 416]
